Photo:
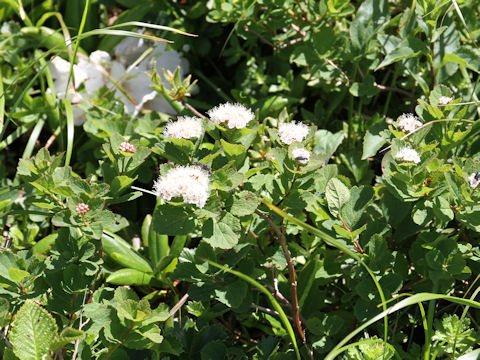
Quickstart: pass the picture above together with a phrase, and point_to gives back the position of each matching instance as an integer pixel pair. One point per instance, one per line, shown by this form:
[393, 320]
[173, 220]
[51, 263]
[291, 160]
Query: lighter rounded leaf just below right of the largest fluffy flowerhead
[223, 233]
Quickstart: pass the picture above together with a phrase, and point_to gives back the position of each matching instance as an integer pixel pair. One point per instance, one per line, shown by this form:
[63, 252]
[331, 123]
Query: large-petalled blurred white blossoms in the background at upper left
[97, 70]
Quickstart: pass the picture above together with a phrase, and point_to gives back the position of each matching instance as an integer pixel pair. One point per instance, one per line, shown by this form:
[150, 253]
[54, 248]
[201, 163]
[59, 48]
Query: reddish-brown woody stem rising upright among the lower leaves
[291, 274]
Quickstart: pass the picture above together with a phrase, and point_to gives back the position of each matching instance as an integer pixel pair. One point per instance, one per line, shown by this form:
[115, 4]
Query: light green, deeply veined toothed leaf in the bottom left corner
[33, 331]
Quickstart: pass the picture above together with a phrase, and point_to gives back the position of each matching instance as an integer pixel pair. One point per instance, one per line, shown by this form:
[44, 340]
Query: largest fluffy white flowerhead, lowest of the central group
[189, 182]
